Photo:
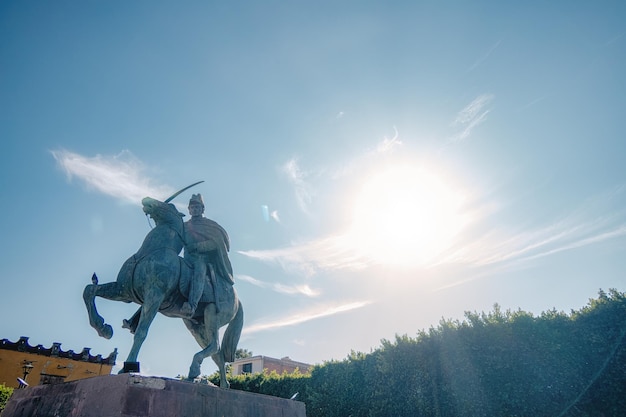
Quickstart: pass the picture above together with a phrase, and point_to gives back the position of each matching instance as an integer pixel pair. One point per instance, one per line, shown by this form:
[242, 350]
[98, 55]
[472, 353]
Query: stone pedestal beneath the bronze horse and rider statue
[130, 395]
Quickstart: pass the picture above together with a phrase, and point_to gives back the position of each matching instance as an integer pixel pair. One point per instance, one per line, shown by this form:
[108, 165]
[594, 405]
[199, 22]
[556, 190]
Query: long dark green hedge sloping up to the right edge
[505, 363]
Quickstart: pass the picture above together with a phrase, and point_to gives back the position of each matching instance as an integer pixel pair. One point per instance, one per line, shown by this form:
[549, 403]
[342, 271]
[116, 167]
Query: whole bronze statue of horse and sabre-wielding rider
[197, 288]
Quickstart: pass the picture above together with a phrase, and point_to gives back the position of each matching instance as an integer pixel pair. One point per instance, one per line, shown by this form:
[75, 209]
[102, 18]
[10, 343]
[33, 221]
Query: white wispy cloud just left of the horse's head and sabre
[120, 176]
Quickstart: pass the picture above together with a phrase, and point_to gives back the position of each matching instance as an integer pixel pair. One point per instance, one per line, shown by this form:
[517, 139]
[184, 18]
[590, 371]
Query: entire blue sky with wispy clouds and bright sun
[378, 165]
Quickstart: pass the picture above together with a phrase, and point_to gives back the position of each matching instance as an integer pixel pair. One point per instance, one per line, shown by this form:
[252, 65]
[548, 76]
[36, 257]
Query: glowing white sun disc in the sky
[405, 216]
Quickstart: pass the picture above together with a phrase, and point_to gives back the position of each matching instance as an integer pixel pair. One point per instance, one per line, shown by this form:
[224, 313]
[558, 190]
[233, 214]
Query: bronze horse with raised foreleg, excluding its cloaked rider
[158, 279]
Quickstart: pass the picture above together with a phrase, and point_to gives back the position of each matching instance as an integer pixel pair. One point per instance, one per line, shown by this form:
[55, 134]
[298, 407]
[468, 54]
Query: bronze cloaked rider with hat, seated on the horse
[206, 247]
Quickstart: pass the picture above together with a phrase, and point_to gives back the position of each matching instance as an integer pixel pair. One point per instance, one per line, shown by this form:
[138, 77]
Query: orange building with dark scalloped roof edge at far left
[35, 365]
